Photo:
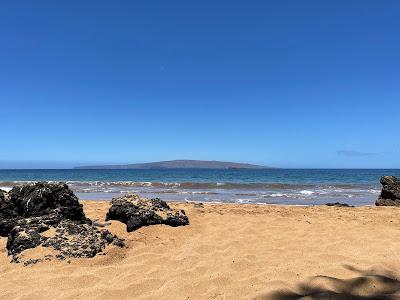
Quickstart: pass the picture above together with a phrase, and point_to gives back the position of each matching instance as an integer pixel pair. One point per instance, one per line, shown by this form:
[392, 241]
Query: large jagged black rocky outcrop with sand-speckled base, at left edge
[27, 212]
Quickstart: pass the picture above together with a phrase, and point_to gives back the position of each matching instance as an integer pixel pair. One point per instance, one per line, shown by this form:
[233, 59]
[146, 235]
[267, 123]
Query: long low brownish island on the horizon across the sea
[180, 164]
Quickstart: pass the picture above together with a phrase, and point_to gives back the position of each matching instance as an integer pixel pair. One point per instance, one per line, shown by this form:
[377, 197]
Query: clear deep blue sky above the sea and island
[281, 83]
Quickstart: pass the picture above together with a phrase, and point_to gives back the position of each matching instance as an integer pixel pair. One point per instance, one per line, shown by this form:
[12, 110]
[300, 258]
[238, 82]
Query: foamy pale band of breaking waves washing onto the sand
[283, 193]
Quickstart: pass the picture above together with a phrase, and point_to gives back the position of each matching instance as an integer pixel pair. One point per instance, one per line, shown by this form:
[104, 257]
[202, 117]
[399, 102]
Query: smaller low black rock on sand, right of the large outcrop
[137, 212]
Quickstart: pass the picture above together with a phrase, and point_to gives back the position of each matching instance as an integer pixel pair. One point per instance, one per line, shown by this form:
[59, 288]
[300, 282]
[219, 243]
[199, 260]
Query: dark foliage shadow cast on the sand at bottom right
[366, 285]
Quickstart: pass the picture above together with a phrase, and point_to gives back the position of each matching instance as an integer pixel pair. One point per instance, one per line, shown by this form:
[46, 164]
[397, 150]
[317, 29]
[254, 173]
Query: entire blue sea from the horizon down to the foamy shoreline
[273, 186]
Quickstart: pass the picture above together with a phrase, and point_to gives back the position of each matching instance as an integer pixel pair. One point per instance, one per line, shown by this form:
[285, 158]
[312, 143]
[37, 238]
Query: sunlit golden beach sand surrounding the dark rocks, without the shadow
[227, 252]
